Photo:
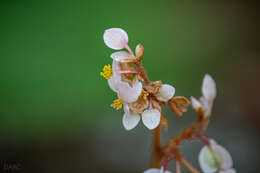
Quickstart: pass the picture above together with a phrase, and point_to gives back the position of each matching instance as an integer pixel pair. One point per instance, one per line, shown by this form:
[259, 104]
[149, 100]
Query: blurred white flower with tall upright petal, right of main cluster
[208, 95]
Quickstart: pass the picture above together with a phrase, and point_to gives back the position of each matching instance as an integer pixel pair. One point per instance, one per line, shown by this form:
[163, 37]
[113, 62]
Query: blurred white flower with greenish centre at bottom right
[215, 158]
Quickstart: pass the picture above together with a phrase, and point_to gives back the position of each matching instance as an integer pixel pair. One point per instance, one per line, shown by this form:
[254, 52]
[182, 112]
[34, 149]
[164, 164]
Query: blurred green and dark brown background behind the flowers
[54, 106]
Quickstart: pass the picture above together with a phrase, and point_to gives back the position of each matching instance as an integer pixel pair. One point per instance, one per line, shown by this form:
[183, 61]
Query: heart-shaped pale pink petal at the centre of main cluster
[129, 94]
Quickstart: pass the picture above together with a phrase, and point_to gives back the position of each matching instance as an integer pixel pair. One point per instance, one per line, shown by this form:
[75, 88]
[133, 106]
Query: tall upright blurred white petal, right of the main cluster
[209, 88]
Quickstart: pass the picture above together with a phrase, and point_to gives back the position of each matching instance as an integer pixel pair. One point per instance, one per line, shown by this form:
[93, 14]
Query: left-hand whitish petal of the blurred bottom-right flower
[206, 161]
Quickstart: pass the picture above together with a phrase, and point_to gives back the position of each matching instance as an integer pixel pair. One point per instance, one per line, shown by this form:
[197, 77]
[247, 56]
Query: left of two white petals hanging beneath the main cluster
[130, 121]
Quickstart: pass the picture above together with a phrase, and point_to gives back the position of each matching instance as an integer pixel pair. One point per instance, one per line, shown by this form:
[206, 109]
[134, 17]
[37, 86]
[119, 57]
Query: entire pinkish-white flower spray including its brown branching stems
[142, 99]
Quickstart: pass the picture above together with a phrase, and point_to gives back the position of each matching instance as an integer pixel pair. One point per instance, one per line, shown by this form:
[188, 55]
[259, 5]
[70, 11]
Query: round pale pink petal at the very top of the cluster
[115, 38]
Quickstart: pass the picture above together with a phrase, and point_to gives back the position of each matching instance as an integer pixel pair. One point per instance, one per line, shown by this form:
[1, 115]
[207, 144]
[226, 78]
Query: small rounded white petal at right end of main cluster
[166, 92]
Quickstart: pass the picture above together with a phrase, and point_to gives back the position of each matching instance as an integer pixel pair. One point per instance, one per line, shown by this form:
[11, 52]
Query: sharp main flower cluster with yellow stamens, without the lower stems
[138, 101]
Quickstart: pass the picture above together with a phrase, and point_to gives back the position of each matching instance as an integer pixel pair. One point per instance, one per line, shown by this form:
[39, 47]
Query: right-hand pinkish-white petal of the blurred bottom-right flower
[226, 159]
